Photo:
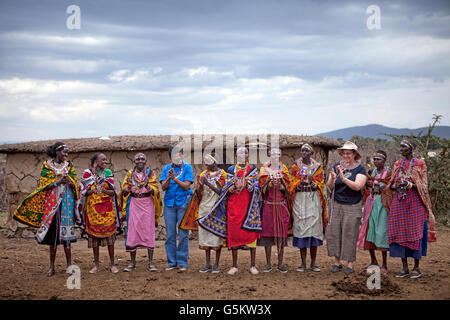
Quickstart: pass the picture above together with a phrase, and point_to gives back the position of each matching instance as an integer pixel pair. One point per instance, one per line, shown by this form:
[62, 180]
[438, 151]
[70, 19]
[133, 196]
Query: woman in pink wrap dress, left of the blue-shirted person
[142, 204]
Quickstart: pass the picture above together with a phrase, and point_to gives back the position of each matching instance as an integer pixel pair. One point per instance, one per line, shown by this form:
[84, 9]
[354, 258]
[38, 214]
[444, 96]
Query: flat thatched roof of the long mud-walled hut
[133, 143]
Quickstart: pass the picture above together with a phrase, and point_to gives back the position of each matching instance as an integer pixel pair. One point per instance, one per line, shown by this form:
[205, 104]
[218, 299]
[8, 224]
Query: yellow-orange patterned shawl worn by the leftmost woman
[32, 208]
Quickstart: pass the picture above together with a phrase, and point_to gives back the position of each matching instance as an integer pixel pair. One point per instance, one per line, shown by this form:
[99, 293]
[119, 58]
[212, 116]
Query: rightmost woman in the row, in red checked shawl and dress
[408, 229]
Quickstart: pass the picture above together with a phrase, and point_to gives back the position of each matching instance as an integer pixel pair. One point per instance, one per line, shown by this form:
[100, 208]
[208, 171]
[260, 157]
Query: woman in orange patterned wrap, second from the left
[100, 209]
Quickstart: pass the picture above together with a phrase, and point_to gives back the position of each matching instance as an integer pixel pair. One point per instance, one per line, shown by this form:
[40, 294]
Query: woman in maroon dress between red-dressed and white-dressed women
[274, 183]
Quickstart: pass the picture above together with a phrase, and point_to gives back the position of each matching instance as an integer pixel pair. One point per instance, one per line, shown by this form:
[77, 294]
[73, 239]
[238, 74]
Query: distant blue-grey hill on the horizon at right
[376, 131]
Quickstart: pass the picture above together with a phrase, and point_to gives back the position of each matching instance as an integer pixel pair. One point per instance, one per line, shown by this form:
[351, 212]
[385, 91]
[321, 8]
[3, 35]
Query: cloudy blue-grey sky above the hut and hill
[228, 66]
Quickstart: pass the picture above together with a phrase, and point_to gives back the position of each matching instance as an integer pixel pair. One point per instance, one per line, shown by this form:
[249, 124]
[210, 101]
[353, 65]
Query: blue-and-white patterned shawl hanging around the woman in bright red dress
[216, 221]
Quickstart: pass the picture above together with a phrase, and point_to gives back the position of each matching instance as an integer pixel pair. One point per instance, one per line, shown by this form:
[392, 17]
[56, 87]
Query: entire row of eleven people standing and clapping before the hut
[240, 208]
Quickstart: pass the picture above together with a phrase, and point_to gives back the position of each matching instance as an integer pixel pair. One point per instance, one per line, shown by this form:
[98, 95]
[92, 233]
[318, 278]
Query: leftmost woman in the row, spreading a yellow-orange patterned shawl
[51, 206]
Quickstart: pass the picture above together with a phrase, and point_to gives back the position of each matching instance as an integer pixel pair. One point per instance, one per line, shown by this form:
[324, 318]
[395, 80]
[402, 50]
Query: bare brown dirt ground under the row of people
[23, 264]
